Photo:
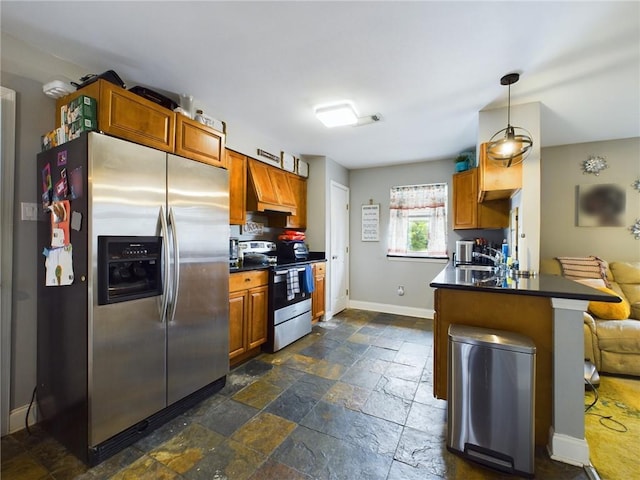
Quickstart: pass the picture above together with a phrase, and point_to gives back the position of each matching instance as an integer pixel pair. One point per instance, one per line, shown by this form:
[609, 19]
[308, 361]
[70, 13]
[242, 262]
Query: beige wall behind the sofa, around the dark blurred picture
[561, 173]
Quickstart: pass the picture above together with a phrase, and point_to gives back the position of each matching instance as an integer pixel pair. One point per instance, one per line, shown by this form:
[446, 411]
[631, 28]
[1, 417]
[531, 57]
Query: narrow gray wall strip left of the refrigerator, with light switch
[35, 114]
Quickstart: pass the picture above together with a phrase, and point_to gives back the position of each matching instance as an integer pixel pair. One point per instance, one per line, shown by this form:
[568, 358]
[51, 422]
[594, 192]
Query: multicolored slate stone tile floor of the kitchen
[352, 400]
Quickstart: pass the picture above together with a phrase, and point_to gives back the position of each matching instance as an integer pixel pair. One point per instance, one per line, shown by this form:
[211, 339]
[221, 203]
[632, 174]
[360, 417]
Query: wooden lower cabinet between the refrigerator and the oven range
[248, 304]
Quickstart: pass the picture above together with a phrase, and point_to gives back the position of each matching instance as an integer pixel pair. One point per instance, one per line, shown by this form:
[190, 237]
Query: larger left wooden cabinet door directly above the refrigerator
[127, 115]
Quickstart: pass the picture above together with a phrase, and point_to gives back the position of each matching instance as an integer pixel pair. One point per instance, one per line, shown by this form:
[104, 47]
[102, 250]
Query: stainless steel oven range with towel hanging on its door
[289, 306]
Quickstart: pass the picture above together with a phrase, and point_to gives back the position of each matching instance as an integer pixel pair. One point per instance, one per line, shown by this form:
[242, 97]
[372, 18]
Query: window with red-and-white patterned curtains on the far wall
[418, 221]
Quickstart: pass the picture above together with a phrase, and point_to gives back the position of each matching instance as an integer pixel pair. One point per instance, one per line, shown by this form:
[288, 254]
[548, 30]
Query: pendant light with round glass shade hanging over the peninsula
[511, 145]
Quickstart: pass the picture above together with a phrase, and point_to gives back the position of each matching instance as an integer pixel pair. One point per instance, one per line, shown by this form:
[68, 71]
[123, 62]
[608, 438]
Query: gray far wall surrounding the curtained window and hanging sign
[374, 277]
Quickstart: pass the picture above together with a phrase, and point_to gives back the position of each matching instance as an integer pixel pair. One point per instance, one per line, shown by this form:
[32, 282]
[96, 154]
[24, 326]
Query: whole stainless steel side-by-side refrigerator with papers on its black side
[132, 290]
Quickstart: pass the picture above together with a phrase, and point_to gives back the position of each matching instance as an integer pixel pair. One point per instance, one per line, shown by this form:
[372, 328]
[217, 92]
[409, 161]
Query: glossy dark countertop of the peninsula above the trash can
[541, 285]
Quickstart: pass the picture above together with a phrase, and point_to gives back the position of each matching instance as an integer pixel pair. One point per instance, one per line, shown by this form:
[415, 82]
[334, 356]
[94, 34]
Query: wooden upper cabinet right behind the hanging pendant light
[495, 181]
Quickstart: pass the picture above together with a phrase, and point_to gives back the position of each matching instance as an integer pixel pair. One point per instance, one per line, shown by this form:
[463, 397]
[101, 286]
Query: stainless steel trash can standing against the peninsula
[491, 398]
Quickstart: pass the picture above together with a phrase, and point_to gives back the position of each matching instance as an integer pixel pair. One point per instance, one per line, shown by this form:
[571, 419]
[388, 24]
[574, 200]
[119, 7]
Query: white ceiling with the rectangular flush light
[427, 67]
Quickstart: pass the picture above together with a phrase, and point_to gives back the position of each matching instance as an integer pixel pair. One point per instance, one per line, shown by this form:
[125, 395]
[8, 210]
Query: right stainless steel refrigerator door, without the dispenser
[198, 336]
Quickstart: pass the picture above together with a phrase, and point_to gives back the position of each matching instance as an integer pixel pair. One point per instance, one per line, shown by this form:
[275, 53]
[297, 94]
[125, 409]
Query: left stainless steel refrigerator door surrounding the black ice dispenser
[127, 376]
